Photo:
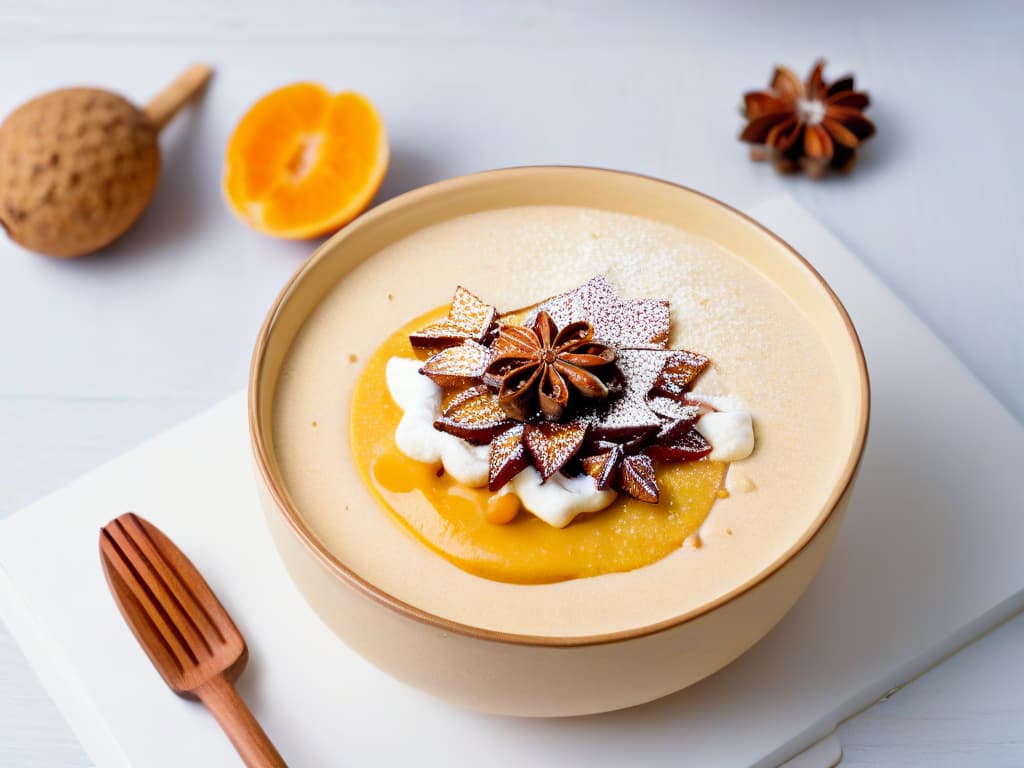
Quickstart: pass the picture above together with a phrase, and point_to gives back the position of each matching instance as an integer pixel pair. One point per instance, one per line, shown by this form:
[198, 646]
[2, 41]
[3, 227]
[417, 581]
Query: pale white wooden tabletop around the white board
[101, 354]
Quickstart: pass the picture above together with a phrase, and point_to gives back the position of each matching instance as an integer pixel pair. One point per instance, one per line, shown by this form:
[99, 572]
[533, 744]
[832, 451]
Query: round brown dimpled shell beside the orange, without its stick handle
[77, 167]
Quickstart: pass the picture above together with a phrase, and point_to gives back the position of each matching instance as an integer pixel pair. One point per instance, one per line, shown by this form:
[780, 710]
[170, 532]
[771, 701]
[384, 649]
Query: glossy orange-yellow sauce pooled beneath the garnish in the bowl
[452, 520]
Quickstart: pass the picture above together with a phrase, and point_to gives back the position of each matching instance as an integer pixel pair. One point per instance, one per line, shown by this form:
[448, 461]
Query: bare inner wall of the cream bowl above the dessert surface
[616, 192]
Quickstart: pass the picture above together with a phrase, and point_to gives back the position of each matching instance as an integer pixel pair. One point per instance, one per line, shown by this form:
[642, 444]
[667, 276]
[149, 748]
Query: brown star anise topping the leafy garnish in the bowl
[542, 367]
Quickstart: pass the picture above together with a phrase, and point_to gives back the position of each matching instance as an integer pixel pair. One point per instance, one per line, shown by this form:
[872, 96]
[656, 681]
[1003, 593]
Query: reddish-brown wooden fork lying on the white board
[183, 627]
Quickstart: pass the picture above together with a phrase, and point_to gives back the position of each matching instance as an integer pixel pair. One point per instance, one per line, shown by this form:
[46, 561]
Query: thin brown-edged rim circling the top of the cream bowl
[408, 611]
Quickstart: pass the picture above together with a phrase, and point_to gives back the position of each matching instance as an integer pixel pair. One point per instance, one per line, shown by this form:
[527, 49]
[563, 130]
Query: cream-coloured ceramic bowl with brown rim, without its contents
[536, 675]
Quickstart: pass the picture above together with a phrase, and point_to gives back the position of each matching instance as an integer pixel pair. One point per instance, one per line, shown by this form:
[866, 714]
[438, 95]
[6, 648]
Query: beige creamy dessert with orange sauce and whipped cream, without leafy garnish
[764, 358]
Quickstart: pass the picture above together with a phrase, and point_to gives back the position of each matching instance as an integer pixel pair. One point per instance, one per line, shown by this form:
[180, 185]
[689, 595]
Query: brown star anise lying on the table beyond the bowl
[809, 126]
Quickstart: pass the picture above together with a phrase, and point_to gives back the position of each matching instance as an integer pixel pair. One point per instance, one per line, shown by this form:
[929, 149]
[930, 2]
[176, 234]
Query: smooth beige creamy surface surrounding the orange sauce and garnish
[763, 352]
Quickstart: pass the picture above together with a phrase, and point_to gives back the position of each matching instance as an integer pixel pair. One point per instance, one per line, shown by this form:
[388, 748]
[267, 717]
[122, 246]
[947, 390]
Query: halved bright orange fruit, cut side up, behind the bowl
[305, 162]
